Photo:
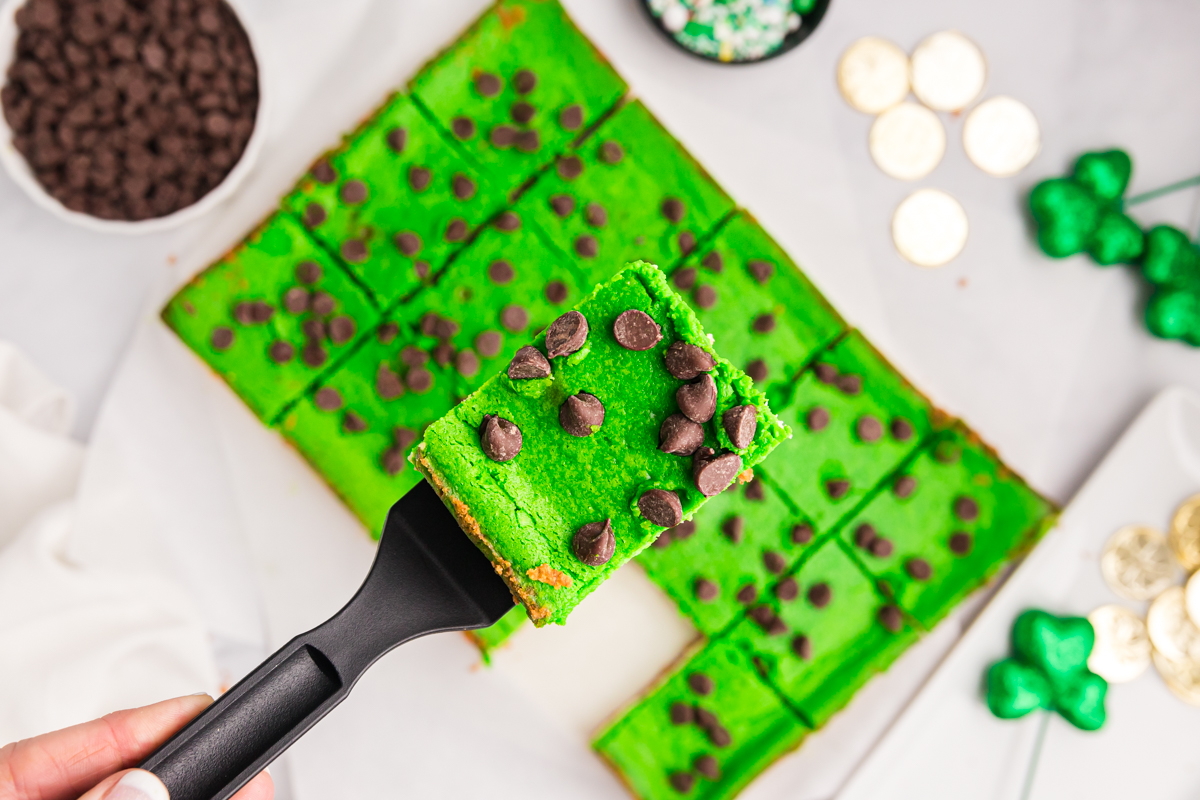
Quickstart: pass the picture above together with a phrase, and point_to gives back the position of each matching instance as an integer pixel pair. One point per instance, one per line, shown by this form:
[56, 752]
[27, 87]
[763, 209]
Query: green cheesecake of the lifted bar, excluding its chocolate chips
[525, 512]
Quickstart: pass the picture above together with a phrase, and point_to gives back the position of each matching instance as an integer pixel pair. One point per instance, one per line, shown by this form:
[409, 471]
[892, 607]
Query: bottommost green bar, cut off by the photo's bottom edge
[704, 732]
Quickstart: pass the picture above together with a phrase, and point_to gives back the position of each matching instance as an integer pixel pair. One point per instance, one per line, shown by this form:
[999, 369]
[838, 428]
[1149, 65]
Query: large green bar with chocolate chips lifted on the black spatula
[615, 425]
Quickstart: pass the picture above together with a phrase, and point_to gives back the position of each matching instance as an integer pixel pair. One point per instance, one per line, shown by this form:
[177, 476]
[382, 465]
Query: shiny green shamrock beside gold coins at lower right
[1049, 671]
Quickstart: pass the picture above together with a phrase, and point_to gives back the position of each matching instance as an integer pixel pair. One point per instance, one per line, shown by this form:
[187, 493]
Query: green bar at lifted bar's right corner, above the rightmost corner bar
[855, 419]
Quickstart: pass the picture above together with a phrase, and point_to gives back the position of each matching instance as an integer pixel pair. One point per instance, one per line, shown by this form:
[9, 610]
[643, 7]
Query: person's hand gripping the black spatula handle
[93, 760]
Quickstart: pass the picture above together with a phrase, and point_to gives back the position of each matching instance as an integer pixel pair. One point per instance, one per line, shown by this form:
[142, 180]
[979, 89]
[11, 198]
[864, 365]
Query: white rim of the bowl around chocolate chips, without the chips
[16, 166]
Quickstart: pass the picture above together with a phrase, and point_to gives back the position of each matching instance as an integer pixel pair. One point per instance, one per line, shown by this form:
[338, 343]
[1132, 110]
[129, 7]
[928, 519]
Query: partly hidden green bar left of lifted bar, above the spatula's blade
[359, 424]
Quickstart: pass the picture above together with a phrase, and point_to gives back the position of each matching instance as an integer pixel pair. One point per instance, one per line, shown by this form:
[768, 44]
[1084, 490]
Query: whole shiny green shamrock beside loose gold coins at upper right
[1083, 212]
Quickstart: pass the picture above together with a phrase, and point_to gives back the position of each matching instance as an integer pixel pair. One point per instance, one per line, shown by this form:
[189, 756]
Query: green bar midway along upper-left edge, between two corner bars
[395, 202]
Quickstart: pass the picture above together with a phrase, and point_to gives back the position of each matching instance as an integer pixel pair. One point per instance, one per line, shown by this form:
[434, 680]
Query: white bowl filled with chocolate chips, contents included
[128, 116]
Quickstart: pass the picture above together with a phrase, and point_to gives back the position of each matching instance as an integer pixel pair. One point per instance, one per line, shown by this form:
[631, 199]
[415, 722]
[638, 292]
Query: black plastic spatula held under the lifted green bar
[428, 578]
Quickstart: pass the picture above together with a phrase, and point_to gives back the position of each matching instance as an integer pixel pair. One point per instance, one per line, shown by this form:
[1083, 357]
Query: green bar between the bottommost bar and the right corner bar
[833, 634]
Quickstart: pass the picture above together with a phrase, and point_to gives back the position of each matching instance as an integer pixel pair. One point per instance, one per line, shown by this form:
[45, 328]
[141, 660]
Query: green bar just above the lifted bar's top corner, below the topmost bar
[628, 193]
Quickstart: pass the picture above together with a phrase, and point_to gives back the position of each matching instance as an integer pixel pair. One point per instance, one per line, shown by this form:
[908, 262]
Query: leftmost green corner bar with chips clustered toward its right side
[272, 316]
